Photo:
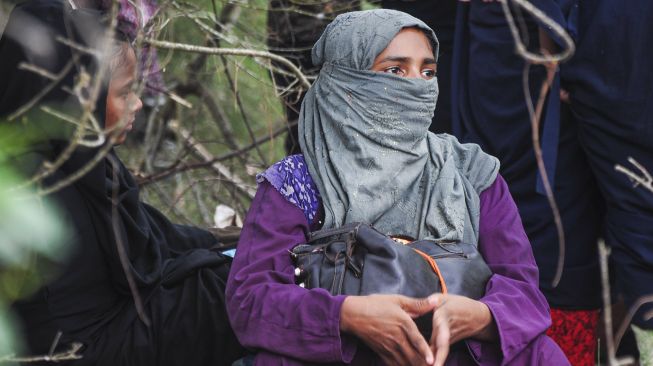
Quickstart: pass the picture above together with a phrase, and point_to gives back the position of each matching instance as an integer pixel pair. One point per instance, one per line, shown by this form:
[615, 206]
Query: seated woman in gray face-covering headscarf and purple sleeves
[368, 157]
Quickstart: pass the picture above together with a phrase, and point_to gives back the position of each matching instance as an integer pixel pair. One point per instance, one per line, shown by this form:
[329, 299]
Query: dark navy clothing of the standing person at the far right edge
[610, 82]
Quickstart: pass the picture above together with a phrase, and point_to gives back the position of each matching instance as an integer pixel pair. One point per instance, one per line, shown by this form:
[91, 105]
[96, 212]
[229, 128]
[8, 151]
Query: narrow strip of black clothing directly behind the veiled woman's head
[440, 15]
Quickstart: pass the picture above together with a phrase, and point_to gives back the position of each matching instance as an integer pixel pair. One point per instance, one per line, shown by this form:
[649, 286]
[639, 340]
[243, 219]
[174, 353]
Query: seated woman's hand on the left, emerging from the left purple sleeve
[385, 323]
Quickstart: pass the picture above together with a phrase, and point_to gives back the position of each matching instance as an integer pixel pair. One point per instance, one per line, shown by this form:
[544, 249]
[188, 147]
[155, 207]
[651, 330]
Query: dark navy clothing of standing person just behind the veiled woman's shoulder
[490, 109]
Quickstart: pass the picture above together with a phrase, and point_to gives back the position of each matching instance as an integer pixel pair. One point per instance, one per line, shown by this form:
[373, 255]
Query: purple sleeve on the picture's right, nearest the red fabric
[512, 294]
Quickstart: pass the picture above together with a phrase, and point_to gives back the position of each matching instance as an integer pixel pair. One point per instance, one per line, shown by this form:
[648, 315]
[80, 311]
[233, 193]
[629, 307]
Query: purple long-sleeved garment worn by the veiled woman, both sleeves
[290, 325]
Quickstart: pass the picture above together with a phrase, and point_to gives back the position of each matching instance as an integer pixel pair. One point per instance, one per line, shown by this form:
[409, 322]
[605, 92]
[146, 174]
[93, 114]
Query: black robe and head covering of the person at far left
[179, 276]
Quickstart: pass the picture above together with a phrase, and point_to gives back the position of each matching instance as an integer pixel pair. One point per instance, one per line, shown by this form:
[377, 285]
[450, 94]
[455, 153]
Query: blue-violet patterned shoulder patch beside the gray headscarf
[291, 178]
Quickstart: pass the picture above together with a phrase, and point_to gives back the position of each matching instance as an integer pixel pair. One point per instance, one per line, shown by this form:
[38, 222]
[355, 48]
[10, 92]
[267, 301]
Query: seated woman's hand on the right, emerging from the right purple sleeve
[458, 317]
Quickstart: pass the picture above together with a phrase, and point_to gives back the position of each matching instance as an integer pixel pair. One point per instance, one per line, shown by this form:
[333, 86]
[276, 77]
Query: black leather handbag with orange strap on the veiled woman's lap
[356, 259]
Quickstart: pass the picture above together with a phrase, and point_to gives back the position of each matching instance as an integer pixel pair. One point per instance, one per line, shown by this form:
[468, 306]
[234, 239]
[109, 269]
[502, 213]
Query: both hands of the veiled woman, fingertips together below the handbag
[385, 323]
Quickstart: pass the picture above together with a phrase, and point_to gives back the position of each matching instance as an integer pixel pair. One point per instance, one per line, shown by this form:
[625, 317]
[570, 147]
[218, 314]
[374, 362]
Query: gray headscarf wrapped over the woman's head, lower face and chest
[365, 138]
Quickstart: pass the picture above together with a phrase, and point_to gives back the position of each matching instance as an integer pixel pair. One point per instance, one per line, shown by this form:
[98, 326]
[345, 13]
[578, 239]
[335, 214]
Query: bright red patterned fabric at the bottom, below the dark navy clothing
[575, 332]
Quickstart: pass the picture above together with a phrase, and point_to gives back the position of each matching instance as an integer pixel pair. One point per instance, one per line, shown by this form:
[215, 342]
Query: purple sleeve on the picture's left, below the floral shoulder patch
[267, 311]
